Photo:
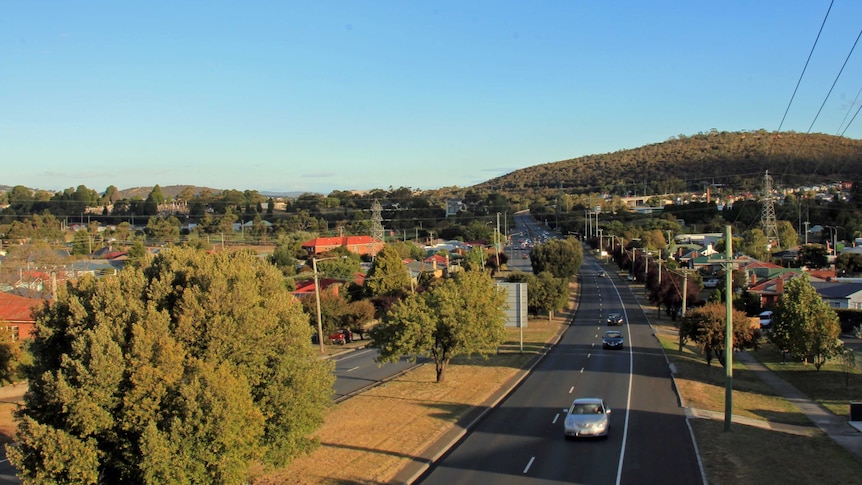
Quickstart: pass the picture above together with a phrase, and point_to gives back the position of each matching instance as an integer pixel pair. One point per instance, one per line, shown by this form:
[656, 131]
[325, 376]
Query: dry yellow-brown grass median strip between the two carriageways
[369, 438]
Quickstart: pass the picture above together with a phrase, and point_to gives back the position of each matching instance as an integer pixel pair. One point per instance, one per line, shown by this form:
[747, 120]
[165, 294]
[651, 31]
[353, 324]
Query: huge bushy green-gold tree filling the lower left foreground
[191, 370]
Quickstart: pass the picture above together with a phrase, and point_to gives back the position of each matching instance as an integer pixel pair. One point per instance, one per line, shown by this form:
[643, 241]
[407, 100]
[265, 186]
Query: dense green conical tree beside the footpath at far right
[804, 325]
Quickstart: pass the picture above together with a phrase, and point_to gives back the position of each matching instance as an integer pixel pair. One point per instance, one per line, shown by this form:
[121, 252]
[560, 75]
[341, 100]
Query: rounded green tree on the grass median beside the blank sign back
[463, 315]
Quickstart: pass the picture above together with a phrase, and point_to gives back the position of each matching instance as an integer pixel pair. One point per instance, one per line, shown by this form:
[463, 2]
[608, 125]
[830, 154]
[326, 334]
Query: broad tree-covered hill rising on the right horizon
[688, 163]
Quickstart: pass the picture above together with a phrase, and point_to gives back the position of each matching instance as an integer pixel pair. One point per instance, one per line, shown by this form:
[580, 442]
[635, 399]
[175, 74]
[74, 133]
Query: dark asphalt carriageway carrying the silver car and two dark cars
[522, 441]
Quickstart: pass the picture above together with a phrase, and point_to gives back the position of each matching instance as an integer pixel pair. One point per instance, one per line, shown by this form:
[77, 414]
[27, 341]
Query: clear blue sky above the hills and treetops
[326, 95]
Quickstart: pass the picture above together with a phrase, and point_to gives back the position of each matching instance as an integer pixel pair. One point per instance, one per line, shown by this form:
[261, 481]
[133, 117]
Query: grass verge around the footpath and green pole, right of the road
[751, 455]
